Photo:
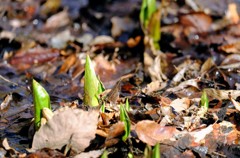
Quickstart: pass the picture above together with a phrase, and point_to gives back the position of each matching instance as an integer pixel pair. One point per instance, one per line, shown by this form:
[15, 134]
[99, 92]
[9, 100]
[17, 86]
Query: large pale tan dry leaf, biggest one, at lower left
[72, 127]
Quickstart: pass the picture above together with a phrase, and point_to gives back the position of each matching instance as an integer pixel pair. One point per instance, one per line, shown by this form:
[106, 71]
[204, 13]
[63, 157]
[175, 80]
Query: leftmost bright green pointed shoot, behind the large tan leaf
[41, 100]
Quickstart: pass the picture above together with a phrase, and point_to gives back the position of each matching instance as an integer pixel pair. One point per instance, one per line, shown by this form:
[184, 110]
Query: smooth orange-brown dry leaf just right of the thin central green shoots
[151, 133]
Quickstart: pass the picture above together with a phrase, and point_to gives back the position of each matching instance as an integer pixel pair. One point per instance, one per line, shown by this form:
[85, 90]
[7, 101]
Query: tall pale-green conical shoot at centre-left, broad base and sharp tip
[92, 86]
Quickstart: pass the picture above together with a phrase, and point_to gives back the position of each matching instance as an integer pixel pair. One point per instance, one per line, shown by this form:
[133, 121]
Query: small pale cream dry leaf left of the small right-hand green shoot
[180, 104]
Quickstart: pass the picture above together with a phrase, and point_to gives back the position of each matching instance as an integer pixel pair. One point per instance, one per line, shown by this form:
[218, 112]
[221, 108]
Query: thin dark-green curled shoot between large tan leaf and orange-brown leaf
[125, 119]
